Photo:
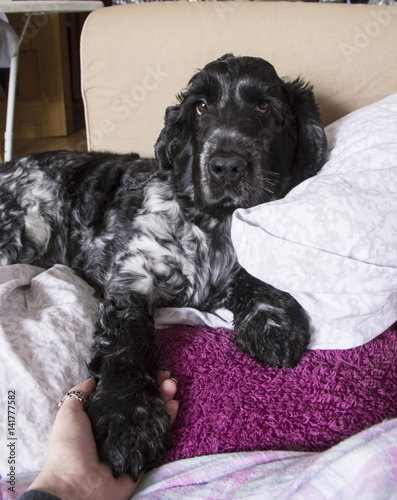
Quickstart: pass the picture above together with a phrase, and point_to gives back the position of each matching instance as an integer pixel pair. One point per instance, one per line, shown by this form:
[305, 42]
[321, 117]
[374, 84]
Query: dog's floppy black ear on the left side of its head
[170, 138]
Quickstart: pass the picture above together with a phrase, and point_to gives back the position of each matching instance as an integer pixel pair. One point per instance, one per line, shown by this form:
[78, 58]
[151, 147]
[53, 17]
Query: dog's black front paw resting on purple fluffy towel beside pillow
[276, 332]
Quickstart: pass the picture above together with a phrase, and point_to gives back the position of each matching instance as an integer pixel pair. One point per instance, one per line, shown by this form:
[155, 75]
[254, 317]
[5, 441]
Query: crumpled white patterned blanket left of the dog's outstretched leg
[46, 327]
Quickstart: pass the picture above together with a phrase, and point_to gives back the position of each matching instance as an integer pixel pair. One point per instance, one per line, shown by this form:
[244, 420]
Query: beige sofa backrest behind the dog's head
[136, 58]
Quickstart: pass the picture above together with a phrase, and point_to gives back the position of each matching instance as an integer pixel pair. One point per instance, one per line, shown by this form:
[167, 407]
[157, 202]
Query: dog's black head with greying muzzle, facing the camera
[241, 136]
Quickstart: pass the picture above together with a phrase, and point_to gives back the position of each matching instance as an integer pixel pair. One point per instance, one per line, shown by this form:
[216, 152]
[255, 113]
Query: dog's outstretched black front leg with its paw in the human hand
[129, 419]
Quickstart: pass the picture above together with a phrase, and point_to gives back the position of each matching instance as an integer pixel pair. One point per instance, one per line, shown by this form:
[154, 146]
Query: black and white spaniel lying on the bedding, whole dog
[149, 233]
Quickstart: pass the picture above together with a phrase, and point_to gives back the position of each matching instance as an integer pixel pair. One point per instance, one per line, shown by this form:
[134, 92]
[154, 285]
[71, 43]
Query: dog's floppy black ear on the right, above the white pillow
[311, 145]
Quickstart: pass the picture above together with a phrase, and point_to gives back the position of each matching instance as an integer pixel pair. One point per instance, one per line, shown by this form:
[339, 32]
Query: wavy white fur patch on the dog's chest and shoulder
[169, 259]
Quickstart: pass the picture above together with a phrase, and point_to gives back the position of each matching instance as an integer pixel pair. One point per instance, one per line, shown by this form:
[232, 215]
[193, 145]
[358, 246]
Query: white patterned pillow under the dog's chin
[332, 241]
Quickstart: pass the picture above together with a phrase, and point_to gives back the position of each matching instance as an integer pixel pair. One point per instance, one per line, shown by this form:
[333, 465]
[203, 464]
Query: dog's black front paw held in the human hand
[131, 428]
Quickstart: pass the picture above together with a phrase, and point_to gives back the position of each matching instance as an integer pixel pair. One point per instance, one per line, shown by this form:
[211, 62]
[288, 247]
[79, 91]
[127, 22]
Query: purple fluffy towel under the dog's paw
[229, 402]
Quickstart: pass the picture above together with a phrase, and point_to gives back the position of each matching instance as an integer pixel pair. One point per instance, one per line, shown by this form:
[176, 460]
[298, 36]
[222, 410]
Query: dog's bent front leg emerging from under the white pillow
[269, 324]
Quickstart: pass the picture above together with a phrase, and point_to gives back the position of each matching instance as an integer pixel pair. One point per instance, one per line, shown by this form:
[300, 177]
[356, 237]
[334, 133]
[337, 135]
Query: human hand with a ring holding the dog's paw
[72, 469]
